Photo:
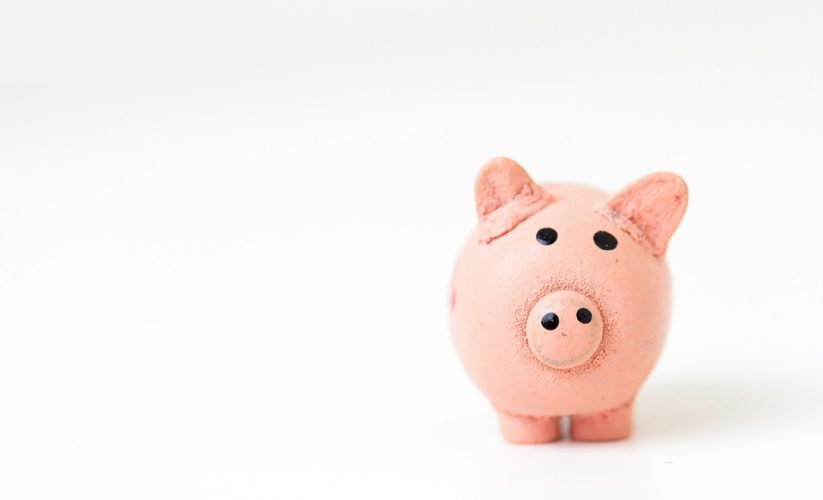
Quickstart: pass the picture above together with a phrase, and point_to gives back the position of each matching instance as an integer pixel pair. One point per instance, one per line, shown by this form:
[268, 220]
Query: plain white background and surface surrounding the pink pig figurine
[227, 229]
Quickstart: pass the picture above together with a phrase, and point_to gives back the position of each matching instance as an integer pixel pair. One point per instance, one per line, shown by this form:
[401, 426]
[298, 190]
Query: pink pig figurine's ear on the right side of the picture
[654, 205]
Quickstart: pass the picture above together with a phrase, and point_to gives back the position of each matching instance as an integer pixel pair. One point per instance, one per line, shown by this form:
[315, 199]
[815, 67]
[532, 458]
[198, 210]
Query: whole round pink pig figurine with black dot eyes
[560, 299]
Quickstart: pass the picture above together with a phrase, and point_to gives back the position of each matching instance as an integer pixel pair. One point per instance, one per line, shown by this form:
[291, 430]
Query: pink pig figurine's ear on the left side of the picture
[505, 196]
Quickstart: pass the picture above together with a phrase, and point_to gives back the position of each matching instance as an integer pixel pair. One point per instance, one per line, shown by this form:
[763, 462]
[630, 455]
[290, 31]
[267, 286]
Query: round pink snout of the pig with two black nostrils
[564, 329]
